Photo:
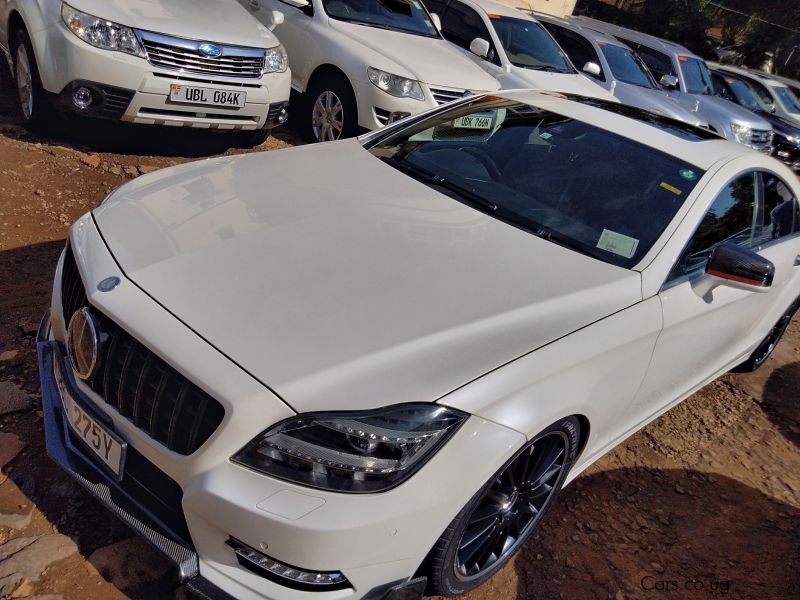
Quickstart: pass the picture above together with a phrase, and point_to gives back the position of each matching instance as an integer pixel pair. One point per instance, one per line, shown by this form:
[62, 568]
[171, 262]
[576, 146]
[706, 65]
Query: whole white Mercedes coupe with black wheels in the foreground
[365, 369]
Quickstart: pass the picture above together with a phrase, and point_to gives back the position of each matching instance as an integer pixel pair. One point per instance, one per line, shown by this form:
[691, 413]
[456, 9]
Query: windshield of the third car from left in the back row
[529, 46]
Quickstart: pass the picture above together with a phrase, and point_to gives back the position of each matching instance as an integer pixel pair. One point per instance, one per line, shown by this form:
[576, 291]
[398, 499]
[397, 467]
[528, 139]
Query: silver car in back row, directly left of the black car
[687, 78]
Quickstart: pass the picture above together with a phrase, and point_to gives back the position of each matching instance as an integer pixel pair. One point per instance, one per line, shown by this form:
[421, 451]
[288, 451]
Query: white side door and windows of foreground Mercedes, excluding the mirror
[705, 334]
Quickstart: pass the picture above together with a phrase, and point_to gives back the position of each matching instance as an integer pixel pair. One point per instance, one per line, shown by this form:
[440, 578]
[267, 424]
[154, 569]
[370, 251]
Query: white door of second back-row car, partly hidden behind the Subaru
[295, 34]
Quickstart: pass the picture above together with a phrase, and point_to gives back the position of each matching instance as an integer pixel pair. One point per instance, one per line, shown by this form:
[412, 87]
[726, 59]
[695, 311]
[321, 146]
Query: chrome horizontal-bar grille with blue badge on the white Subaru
[178, 54]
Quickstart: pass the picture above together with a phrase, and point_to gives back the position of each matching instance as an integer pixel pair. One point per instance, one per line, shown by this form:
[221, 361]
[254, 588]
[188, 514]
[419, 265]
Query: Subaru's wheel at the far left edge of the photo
[34, 105]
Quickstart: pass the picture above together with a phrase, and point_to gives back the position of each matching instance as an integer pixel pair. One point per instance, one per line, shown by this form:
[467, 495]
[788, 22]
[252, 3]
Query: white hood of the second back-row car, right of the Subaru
[430, 60]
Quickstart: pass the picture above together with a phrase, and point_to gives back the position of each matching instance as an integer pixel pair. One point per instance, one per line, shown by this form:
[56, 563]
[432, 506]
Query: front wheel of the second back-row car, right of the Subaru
[328, 101]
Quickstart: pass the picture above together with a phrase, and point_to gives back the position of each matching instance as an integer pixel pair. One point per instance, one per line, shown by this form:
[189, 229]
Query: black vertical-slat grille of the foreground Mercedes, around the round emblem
[138, 384]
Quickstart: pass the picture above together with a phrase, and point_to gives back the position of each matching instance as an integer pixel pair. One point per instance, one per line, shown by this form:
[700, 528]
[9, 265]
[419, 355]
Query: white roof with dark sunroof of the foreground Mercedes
[690, 144]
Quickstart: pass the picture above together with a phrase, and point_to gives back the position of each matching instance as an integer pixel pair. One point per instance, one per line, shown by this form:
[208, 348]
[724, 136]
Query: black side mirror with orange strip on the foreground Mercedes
[736, 267]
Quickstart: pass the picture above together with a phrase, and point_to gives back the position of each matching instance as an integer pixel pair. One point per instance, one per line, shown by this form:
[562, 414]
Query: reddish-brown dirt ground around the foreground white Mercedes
[703, 502]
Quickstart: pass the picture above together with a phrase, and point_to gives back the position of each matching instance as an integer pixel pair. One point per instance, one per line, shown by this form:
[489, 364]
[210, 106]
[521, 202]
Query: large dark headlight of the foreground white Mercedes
[352, 452]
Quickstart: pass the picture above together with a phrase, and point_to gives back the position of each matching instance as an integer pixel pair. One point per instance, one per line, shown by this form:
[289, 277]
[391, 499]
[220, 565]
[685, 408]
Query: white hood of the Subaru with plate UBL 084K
[221, 21]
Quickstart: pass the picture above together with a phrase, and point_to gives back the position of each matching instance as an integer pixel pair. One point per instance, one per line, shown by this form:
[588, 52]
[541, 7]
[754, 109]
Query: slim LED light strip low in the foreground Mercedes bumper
[293, 577]
